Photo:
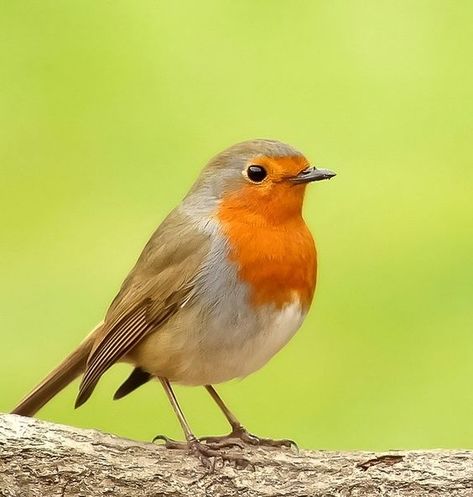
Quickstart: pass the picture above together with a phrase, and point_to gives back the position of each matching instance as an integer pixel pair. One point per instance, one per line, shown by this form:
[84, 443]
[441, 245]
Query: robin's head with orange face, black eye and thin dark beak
[261, 178]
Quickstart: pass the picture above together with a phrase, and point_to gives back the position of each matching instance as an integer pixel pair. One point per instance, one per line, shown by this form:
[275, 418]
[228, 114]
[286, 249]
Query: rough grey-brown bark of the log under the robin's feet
[44, 459]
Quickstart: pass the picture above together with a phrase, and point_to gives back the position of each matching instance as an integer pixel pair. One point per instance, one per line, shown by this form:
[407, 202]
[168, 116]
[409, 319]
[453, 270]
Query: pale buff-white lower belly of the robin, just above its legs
[220, 350]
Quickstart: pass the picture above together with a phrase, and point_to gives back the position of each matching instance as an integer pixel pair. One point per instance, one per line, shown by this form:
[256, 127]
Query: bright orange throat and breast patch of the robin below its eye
[272, 247]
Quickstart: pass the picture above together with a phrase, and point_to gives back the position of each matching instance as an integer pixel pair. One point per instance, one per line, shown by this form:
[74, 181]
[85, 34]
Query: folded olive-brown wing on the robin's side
[158, 285]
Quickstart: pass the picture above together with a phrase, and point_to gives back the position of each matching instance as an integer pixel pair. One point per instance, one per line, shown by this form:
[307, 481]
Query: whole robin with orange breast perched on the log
[222, 285]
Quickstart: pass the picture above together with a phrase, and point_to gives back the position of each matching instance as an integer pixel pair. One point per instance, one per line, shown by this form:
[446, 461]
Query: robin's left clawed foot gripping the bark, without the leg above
[208, 453]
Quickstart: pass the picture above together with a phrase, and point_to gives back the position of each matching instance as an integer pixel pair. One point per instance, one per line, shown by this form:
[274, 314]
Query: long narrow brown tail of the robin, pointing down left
[69, 369]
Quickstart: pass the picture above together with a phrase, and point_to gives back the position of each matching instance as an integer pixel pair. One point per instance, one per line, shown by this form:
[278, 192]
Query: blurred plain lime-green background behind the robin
[108, 110]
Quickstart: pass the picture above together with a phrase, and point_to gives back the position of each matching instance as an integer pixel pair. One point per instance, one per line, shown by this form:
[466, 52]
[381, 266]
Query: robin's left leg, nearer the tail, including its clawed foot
[205, 451]
